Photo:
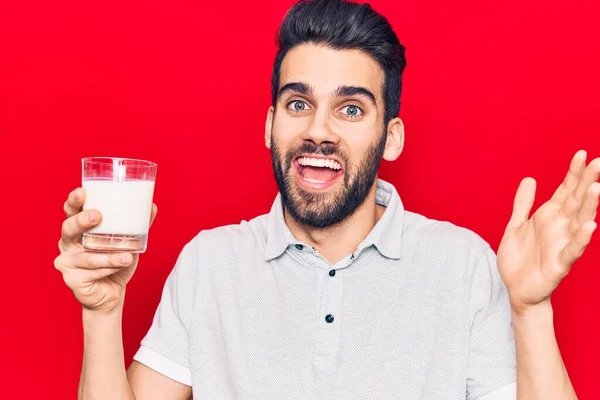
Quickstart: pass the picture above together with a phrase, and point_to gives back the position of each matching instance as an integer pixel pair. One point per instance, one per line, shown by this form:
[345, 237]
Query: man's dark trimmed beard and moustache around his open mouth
[322, 210]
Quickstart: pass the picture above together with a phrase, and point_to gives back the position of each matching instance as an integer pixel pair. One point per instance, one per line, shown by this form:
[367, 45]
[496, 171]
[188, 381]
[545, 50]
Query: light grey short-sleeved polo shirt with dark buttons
[418, 311]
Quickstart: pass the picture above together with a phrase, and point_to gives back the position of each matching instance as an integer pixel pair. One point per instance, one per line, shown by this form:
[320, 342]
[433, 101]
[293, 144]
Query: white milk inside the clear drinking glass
[125, 205]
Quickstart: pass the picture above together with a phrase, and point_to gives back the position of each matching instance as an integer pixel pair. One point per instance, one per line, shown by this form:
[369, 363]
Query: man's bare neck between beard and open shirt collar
[337, 241]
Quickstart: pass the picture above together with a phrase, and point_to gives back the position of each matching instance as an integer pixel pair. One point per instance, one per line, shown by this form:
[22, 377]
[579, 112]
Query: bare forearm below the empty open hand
[541, 373]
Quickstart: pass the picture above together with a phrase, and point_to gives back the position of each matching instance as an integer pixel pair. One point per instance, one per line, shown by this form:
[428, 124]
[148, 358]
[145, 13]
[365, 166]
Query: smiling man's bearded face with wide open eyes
[327, 133]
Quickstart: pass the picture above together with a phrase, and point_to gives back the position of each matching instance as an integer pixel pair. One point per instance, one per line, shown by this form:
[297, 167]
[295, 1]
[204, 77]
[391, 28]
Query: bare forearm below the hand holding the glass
[103, 374]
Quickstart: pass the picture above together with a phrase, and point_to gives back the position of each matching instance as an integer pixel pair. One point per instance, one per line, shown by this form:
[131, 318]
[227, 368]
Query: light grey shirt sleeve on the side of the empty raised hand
[492, 355]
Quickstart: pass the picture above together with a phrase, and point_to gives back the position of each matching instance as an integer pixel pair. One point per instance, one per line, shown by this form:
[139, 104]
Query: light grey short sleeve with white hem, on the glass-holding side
[165, 348]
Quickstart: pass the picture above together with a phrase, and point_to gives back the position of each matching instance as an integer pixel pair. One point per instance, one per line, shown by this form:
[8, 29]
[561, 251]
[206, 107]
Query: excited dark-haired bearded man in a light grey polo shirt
[338, 292]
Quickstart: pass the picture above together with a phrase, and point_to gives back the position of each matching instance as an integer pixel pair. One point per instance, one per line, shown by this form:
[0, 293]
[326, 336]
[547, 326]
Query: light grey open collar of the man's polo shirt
[385, 236]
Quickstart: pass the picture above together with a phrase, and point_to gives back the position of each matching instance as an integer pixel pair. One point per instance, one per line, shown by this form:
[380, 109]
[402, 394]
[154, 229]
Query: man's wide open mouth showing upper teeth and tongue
[317, 172]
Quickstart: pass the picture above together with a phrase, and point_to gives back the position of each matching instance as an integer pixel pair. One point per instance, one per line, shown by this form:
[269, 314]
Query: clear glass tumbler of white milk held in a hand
[122, 190]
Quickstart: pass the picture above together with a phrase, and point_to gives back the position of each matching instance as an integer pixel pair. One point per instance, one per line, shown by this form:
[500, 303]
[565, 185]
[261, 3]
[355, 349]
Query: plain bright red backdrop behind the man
[493, 92]
